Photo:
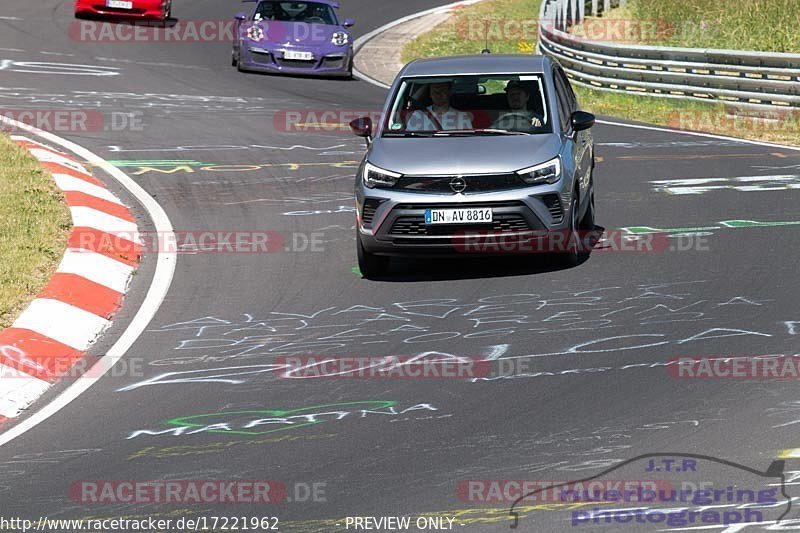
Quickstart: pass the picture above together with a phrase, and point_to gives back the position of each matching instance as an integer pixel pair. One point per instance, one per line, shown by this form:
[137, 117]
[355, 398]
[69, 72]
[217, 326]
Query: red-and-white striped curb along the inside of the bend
[58, 327]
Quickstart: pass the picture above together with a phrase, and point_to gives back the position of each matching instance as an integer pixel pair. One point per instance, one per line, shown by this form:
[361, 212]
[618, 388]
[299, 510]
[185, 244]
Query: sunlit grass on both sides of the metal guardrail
[732, 19]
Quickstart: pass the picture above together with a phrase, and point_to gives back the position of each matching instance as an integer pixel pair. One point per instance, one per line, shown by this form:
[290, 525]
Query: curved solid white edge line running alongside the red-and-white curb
[162, 279]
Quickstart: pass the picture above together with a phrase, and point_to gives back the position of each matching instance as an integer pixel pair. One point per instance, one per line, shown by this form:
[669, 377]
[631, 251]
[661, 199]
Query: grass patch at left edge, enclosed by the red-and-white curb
[34, 225]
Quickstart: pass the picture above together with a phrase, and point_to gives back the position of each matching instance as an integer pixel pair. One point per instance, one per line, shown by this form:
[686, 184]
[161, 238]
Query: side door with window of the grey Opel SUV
[577, 144]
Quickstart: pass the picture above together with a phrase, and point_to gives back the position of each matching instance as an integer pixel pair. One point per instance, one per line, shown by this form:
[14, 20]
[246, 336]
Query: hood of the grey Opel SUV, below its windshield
[463, 155]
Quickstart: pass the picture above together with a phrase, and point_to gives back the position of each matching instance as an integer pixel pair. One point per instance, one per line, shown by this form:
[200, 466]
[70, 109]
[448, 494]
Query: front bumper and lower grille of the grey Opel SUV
[393, 223]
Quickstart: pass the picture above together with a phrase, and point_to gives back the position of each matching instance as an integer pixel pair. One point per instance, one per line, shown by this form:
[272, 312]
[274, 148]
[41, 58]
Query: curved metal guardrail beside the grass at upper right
[738, 77]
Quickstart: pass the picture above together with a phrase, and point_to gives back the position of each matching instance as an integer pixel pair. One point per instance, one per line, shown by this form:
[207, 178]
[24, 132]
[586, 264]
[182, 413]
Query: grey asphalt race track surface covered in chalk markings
[616, 316]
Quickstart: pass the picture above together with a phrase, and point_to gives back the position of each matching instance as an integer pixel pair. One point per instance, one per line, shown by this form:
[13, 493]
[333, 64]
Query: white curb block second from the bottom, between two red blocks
[73, 326]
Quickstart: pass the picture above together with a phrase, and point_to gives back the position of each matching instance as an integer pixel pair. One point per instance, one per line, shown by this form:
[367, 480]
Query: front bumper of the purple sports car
[326, 63]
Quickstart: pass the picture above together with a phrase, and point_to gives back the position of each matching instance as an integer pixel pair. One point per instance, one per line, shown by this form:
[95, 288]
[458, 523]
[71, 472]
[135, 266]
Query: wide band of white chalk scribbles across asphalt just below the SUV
[642, 310]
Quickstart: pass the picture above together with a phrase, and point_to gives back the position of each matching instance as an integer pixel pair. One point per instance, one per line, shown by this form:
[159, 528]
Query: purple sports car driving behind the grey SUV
[294, 38]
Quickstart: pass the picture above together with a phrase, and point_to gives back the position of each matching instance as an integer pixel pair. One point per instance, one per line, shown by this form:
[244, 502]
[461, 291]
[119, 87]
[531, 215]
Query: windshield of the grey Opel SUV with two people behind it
[513, 104]
